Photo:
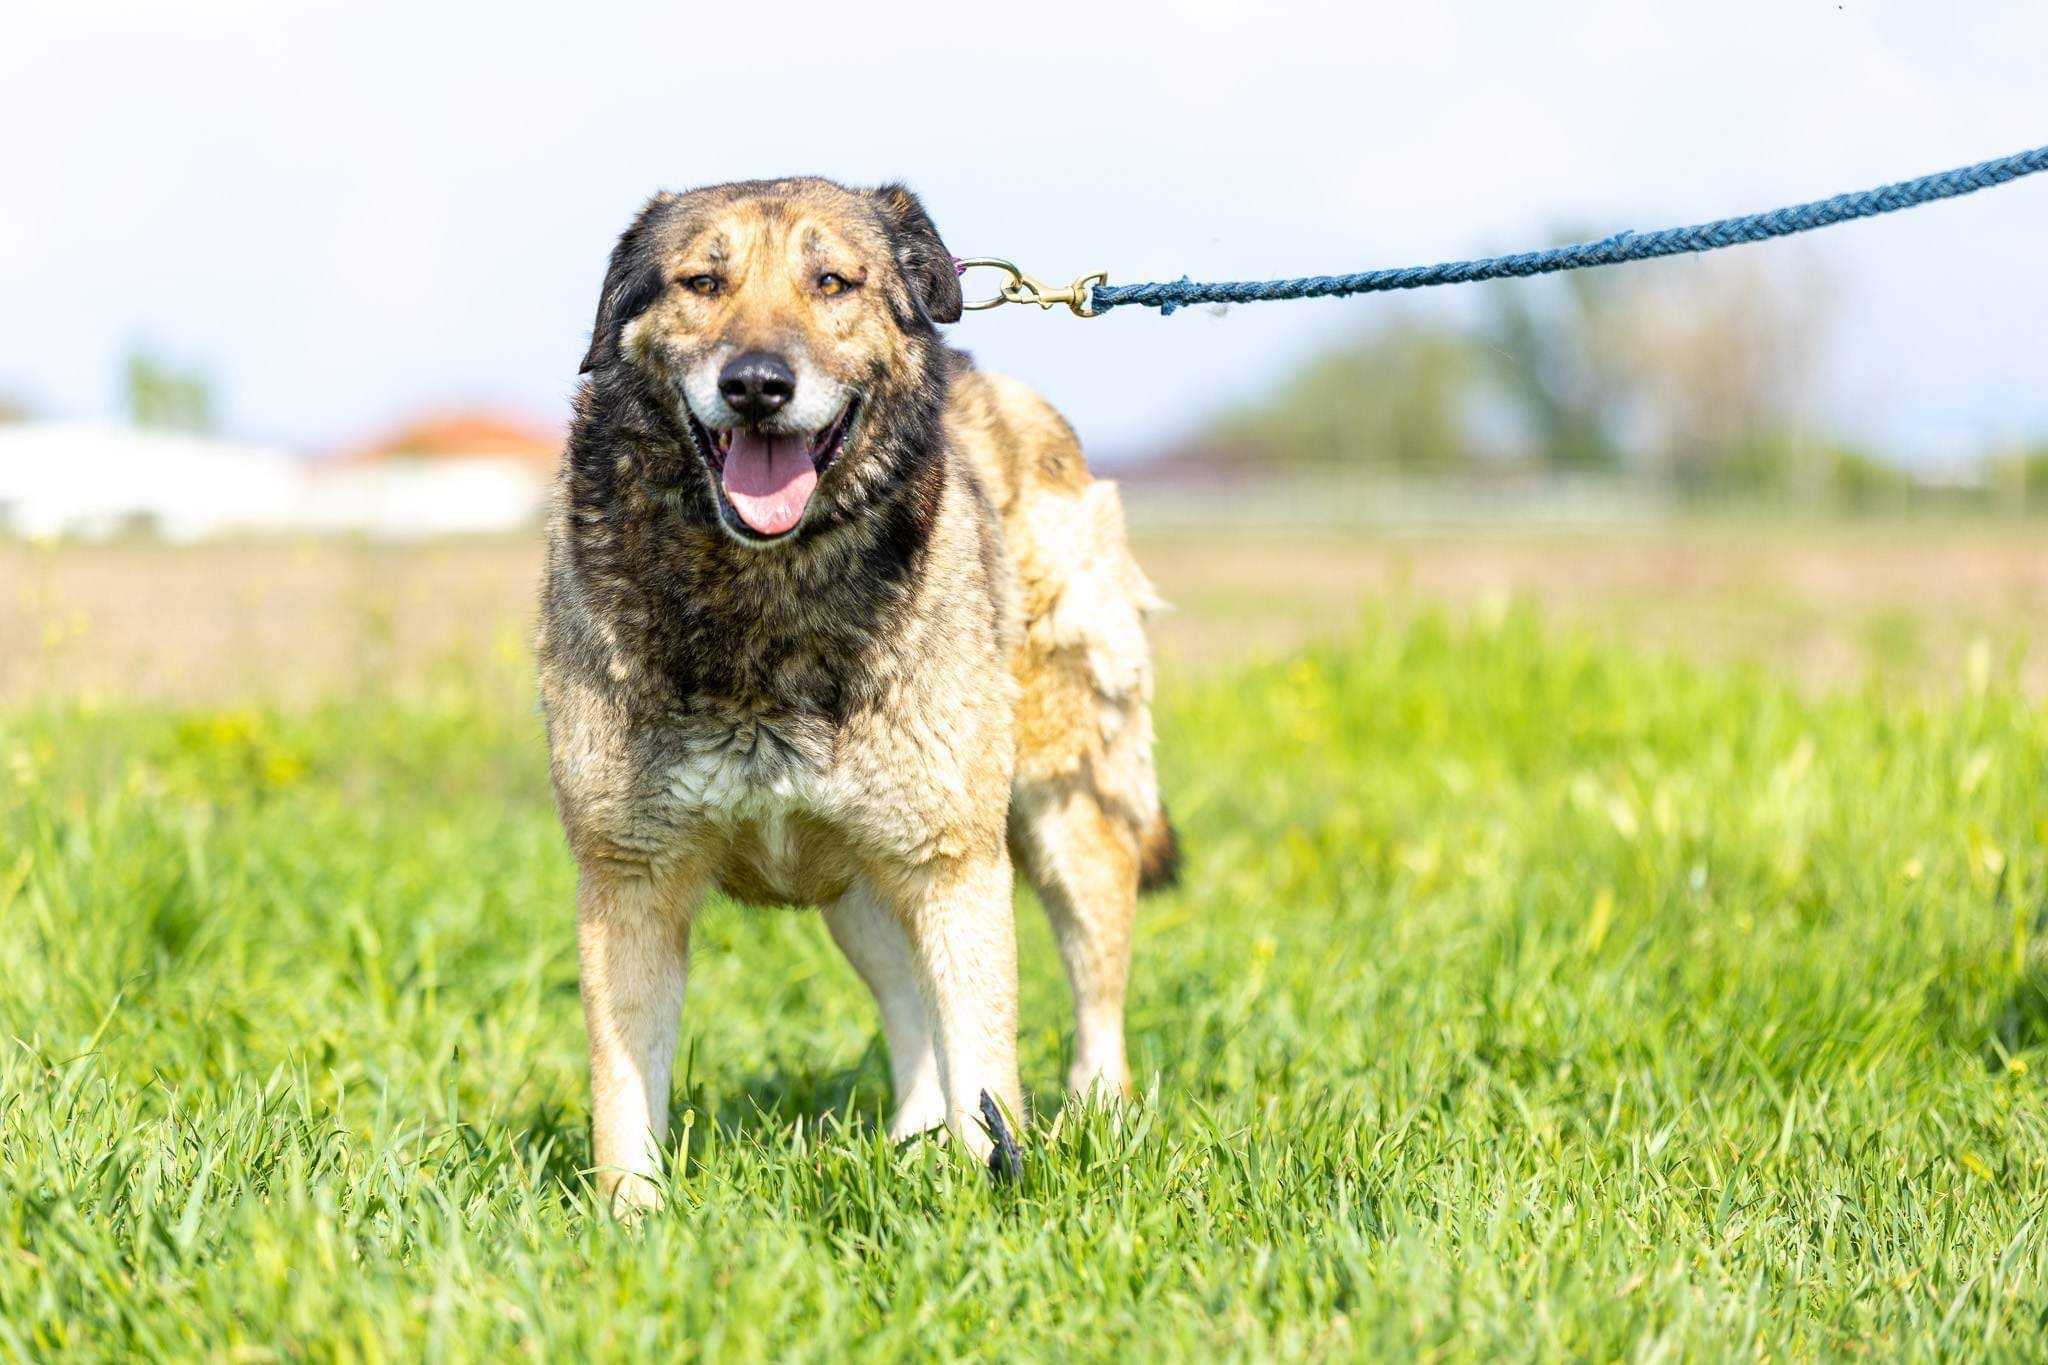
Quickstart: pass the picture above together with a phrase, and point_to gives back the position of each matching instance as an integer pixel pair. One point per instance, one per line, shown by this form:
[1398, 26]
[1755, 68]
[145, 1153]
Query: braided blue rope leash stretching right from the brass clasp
[1170, 296]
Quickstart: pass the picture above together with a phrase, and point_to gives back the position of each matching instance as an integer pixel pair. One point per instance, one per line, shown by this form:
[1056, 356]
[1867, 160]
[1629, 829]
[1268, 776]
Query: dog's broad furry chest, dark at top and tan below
[785, 734]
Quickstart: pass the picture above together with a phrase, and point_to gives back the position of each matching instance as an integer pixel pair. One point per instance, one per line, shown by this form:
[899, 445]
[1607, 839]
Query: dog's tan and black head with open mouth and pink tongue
[781, 322]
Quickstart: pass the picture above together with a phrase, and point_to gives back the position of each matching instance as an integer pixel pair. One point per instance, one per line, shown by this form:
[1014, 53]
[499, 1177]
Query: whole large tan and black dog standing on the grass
[835, 619]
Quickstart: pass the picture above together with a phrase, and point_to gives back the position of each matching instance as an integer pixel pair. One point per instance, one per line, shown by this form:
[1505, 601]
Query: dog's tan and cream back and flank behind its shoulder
[1082, 662]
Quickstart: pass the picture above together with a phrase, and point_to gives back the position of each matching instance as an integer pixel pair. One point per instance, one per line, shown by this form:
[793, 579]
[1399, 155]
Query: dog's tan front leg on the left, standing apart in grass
[634, 940]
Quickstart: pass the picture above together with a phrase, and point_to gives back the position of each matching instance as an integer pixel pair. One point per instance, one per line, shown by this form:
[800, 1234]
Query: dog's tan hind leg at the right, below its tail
[1084, 865]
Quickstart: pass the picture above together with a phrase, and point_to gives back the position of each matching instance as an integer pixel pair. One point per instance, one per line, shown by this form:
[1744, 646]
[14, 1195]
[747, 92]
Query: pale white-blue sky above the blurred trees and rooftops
[347, 214]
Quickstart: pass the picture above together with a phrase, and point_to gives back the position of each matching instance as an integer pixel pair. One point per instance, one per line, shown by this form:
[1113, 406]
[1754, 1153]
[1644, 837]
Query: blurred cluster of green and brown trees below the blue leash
[1691, 373]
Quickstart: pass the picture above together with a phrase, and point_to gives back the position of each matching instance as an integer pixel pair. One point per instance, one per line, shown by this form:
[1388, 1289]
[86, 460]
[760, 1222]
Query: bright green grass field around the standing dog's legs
[1525, 998]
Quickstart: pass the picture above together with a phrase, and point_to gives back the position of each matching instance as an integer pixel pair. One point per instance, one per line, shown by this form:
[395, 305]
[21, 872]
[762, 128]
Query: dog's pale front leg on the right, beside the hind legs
[964, 944]
